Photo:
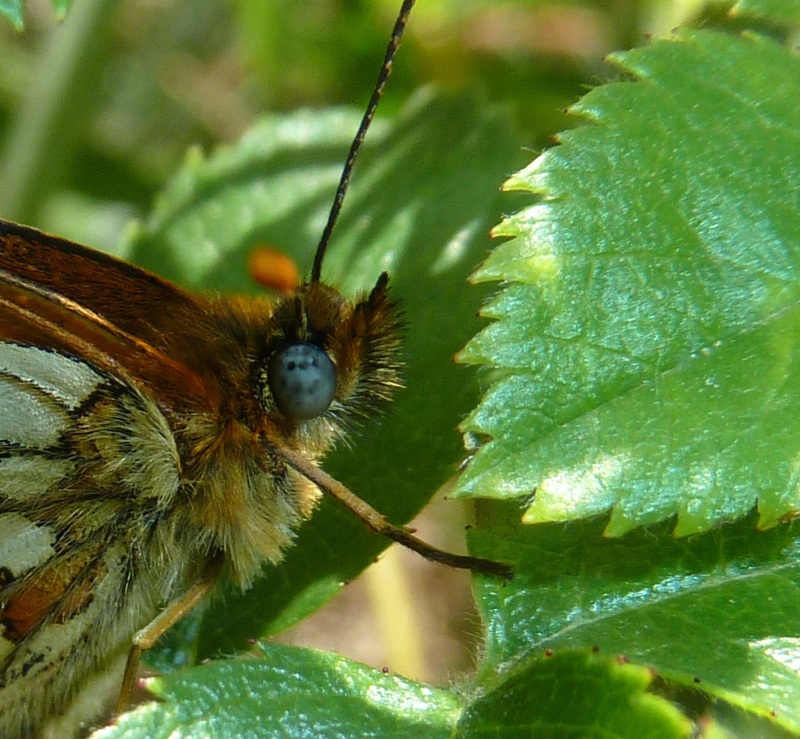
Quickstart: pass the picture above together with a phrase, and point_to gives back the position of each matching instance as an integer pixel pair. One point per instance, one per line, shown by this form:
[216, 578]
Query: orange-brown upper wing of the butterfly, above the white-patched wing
[66, 297]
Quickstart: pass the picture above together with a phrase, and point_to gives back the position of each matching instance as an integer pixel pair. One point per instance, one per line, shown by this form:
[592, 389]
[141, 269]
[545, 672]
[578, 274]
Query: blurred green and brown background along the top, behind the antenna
[128, 85]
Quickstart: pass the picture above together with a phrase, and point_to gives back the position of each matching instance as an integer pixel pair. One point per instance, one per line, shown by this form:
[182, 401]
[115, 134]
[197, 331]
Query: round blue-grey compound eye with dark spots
[303, 381]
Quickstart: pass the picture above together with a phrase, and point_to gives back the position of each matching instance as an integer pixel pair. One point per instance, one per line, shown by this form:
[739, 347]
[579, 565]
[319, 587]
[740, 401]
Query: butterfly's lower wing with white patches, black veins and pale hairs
[87, 466]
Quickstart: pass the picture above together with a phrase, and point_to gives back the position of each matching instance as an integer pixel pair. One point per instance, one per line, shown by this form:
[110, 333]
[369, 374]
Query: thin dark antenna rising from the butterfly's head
[369, 114]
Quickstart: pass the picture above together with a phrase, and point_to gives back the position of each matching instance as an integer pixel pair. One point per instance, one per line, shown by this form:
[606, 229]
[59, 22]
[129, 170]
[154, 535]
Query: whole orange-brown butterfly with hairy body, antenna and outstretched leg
[137, 461]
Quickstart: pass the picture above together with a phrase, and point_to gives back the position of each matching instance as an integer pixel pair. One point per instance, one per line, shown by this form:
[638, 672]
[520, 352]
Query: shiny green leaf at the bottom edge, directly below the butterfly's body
[289, 692]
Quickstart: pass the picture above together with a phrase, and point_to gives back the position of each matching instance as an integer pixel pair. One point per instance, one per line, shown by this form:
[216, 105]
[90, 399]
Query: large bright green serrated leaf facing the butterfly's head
[648, 346]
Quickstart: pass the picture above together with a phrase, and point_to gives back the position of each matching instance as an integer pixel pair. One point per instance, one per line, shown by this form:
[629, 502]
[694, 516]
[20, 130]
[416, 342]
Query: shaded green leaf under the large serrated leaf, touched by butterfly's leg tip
[716, 612]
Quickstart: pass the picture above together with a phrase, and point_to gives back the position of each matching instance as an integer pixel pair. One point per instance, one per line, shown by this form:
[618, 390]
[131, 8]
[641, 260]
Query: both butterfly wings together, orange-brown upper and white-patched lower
[88, 467]
